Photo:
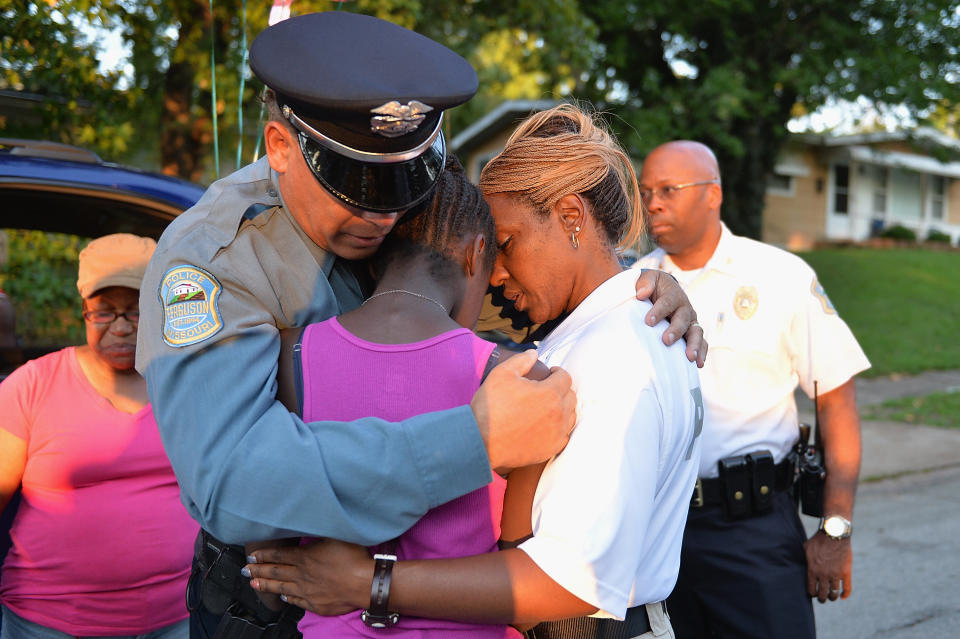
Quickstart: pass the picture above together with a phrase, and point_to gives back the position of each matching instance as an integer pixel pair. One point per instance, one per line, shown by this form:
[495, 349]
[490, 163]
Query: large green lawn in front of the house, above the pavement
[902, 304]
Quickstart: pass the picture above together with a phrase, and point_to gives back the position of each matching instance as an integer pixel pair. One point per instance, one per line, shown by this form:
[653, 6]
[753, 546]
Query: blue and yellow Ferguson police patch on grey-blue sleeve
[189, 297]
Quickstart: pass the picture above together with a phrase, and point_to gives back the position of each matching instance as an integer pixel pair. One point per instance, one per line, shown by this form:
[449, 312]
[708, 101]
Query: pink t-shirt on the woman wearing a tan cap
[101, 542]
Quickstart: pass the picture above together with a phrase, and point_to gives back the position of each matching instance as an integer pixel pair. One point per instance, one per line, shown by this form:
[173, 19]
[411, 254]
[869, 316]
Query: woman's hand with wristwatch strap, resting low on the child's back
[327, 577]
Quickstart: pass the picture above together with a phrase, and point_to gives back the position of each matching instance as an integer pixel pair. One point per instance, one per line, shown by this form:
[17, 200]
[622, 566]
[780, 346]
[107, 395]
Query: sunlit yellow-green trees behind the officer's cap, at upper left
[162, 114]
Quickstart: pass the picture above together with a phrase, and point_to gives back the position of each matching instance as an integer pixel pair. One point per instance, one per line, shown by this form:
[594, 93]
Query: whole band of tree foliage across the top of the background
[730, 73]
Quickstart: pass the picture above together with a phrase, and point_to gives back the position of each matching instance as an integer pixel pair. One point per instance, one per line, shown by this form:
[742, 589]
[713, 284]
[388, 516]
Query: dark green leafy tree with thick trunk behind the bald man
[731, 73]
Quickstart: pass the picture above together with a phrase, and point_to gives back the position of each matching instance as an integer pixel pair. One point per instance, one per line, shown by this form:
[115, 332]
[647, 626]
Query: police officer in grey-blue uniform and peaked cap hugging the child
[354, 140]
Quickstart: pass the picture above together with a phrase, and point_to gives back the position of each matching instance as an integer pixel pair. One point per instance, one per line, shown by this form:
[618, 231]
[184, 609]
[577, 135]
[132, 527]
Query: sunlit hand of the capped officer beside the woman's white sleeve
[523, 422]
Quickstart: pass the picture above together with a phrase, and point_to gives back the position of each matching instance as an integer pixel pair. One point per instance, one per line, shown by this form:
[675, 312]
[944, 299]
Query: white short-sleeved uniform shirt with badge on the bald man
[769, 325]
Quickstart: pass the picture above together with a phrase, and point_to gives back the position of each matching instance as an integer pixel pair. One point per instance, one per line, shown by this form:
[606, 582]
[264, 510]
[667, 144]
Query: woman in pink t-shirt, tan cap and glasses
[101, 542]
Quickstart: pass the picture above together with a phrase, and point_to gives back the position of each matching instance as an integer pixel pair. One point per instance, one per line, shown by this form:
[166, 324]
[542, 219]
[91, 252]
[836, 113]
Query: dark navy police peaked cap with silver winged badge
[367, 98]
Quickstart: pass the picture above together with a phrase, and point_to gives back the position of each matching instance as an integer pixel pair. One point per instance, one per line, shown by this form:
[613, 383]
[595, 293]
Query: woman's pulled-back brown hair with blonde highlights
[567, 150]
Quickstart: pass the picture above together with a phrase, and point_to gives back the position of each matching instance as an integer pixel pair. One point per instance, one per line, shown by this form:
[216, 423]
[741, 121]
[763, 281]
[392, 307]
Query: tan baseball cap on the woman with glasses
[114, 260]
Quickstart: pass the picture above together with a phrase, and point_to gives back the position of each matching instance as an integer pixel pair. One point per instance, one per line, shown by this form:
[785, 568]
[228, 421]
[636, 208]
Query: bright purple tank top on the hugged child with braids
[347, 378]
